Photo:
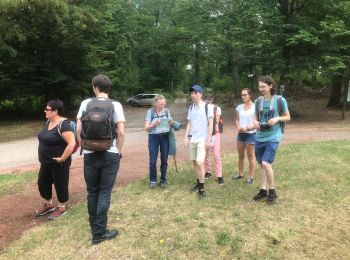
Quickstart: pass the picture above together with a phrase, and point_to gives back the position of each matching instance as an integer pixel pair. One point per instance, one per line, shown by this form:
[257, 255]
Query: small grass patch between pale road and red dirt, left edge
[14, 183]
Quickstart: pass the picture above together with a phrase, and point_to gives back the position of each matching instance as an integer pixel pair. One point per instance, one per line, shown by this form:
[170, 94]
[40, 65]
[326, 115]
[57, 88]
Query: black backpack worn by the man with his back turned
[97, 127]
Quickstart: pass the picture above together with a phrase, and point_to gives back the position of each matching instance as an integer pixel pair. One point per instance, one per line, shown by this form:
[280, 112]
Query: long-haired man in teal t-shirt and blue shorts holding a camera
[269, 134]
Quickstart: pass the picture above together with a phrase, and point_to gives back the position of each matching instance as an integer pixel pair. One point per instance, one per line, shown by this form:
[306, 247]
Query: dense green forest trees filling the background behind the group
[52, 49]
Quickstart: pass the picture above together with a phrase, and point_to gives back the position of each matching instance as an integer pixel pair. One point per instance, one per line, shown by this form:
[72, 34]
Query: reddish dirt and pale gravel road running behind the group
[314, 123]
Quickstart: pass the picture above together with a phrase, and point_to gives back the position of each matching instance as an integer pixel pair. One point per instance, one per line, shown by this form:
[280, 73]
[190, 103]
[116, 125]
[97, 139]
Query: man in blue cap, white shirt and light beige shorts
[198, 135]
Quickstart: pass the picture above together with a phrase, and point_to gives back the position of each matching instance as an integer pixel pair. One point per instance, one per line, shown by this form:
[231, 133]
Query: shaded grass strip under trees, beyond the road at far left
[12, 131]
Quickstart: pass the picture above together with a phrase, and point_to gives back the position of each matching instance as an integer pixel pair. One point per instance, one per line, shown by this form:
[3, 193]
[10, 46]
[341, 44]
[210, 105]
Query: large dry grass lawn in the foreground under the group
[310, 219]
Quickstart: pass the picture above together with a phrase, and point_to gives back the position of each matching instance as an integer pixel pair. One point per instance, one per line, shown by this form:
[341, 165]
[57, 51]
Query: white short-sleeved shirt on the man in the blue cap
[199, 121]
